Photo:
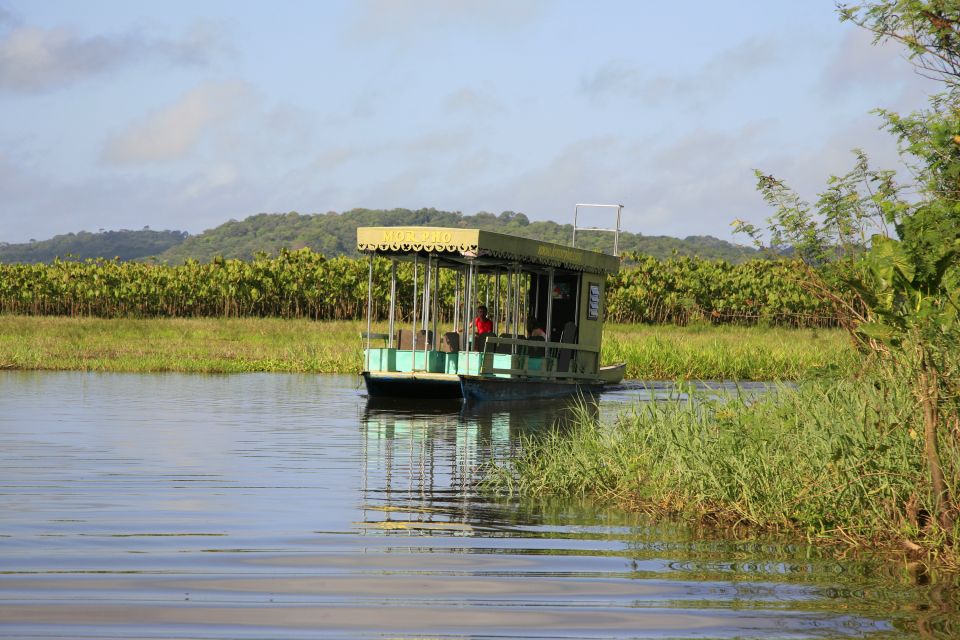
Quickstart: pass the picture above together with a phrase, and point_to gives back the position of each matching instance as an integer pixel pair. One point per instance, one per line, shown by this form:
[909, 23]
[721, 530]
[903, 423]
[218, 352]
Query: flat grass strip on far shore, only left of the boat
[184, 345]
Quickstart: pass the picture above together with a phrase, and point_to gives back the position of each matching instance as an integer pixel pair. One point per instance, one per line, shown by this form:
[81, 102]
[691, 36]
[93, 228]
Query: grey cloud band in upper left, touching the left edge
[34, 60]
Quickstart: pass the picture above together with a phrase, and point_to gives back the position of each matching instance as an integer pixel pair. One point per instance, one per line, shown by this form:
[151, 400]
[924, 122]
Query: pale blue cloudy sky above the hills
[183, 114]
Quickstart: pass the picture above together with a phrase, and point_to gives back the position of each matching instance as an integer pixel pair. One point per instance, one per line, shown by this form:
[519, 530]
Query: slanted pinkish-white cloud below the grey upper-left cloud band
[171, 133]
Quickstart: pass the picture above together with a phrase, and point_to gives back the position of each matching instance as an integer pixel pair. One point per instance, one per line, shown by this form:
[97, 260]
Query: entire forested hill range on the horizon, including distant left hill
[334, 234]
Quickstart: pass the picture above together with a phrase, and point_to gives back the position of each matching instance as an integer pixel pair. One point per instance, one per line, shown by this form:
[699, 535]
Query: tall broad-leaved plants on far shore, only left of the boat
[293, 284]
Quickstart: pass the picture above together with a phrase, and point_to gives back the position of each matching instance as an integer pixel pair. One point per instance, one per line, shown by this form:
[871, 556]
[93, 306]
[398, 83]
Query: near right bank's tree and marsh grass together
[866, 459]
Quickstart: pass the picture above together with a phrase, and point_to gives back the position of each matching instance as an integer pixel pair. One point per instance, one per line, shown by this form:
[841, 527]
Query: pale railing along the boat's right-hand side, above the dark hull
[524, 364]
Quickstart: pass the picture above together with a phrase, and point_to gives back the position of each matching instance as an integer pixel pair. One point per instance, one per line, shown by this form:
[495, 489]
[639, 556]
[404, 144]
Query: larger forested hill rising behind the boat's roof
[334, 234]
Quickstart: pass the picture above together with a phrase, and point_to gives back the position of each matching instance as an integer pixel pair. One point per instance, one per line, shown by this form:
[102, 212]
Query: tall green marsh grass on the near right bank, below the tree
[839, 462]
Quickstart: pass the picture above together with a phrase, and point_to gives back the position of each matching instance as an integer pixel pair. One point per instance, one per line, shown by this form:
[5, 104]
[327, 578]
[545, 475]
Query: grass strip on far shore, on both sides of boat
[237, 345]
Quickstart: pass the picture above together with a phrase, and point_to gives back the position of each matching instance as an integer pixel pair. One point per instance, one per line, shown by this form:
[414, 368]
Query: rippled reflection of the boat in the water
[422, 461]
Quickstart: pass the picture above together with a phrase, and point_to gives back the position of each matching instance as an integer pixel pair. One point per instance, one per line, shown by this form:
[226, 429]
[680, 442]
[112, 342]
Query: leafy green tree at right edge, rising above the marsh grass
[899, 282]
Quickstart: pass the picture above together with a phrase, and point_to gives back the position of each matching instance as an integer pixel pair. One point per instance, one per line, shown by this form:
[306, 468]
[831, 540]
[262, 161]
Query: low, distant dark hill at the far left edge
[123, 244]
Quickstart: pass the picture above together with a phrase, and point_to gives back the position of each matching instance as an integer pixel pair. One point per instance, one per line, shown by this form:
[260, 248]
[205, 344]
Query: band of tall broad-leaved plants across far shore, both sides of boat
[304, 284]
